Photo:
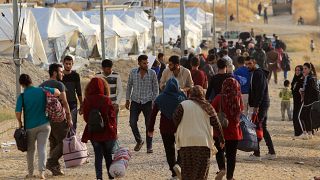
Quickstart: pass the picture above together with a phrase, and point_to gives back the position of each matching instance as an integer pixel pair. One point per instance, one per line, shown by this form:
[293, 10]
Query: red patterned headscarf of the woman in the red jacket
[232, 96]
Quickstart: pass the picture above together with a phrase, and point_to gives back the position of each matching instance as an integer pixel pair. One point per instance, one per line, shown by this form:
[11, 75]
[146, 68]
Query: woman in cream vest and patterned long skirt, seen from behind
[194, 119]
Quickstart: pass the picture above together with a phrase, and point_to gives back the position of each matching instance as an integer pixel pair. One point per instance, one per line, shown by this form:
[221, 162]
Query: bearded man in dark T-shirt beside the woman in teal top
[59, 130]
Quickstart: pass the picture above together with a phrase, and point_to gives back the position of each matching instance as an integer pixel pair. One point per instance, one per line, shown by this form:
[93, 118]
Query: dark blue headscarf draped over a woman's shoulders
[170, 98]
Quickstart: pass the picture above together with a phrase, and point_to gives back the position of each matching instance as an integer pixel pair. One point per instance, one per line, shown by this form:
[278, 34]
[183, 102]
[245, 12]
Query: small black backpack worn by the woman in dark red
[96, 123]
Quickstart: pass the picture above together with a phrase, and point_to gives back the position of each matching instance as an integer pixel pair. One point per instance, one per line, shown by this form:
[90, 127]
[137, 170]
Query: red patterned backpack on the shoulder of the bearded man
[54, 109]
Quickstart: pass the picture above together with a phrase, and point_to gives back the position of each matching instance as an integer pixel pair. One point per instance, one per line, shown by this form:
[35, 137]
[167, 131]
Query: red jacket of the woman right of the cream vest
[233, 131]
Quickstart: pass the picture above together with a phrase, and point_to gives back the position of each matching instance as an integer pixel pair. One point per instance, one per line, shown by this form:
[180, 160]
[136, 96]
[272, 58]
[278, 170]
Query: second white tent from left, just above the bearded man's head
[56, 32]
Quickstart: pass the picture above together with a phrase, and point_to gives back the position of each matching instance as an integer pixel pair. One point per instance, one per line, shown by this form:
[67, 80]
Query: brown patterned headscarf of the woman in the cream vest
[197, 95]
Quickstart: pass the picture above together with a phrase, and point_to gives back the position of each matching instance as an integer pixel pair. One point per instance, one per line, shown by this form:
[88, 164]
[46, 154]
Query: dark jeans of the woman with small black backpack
[102, 149]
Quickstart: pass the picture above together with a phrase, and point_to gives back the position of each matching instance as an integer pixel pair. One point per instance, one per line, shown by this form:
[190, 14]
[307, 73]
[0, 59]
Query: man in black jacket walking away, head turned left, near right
[259, 100]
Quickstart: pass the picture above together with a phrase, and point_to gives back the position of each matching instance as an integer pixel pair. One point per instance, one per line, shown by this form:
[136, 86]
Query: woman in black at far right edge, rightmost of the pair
[309, 94]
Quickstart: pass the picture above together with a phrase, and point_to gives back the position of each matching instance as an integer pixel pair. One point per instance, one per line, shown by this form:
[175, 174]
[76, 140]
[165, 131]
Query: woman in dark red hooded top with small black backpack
[97, 97]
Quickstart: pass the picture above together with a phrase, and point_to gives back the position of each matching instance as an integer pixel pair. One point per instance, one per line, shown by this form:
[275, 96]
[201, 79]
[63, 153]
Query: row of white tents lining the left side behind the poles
[49, 33]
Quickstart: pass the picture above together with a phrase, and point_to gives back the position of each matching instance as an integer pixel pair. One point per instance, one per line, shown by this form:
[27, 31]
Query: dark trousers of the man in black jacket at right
[262, 116]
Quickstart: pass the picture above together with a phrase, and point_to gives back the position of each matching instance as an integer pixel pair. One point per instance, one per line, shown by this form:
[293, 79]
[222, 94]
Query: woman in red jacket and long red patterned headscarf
[231, 104]
